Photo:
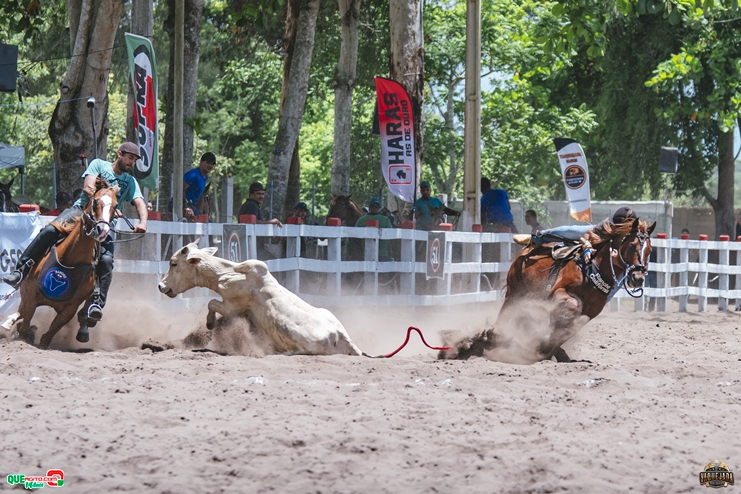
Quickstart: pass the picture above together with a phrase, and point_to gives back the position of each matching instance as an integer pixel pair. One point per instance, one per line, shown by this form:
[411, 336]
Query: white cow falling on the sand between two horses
[249, 290]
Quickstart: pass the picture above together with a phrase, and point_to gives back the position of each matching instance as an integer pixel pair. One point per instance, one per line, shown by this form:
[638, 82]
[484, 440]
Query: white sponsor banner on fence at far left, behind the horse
[16, 232]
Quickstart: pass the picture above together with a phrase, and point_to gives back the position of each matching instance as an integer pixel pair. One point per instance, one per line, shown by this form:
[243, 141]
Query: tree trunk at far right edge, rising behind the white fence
[723, 205]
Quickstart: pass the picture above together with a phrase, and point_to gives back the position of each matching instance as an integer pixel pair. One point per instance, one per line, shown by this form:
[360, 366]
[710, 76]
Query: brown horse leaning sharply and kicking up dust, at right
[575, 295]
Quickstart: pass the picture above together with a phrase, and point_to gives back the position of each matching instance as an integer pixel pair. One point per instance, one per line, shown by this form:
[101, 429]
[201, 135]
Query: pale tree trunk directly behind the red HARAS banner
[407, 64]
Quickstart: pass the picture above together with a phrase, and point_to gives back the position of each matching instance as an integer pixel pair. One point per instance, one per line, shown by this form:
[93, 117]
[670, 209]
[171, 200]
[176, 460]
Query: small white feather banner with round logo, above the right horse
[575, 175]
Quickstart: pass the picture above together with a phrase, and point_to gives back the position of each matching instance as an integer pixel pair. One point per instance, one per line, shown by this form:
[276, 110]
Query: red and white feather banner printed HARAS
[396, 127]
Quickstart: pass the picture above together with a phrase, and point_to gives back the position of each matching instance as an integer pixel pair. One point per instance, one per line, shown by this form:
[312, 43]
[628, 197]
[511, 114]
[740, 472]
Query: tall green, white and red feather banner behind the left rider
[143, 72]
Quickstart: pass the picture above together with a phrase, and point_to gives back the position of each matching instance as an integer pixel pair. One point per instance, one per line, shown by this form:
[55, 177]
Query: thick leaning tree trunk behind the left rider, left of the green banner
[93, 25]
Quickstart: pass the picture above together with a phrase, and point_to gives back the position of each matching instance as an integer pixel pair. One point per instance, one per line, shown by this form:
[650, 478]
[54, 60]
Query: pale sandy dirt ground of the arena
[660, 401]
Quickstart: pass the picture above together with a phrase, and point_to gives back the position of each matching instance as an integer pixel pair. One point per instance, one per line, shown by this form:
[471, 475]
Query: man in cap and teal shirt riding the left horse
[116, 173]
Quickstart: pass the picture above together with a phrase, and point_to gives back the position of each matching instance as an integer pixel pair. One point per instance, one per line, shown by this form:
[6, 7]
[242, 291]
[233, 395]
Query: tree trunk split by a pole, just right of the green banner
[191, 54]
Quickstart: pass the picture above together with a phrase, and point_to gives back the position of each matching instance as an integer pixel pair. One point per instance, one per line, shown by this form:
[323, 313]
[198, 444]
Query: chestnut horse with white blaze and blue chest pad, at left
[67, 273]
